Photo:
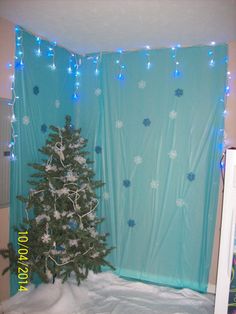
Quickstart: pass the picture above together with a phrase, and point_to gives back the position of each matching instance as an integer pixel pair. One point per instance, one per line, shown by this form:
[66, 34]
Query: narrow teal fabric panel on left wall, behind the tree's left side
[45, 97]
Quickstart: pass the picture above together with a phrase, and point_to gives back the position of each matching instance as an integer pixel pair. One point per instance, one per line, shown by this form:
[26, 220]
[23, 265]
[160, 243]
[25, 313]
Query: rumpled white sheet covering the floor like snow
[105, 293]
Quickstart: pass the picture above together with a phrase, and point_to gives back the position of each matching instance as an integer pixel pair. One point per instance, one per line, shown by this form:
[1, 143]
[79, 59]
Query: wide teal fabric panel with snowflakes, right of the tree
[157, 143]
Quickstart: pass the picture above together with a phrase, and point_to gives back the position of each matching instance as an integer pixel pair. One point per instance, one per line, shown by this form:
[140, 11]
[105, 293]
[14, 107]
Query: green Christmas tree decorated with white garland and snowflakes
[62, 236]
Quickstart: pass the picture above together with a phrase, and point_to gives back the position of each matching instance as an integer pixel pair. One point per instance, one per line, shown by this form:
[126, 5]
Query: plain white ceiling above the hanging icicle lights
[86, 26]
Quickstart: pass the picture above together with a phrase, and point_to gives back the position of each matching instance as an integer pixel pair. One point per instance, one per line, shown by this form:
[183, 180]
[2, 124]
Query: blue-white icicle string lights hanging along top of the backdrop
[74, 69]
